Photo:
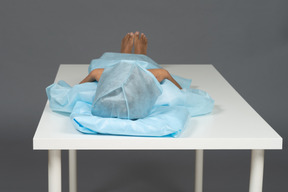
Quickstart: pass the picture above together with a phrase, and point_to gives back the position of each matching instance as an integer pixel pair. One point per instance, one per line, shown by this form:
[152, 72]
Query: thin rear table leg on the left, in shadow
[73, 170]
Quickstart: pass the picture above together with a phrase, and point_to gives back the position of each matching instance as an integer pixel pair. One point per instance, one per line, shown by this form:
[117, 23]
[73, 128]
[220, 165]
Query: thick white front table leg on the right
[257, 169]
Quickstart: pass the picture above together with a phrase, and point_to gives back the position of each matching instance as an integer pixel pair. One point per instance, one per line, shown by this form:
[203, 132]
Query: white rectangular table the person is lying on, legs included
[233, 124]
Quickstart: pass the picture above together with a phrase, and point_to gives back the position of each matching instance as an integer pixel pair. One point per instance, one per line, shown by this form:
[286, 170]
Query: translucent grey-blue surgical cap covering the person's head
[126, 91]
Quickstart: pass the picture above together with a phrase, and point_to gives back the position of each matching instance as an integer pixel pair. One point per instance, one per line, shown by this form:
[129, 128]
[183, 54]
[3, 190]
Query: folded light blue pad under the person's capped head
[162, 121]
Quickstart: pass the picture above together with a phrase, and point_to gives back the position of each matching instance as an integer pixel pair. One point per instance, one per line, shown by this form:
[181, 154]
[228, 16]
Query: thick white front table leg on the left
[54, 171]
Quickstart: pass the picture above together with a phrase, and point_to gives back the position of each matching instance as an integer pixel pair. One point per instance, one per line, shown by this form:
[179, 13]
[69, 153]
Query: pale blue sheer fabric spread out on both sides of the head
[62, 97]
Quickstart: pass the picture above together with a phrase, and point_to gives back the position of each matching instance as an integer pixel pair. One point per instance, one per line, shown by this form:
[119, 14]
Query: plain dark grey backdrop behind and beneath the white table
[247, 41]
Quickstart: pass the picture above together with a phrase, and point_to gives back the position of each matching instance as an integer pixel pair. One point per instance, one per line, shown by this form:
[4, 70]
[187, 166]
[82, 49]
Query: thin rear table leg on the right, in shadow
[199, 171]
